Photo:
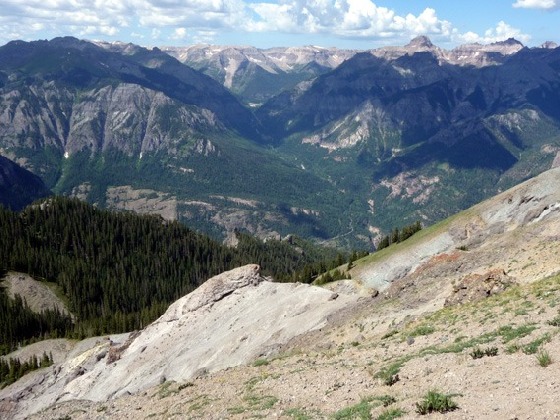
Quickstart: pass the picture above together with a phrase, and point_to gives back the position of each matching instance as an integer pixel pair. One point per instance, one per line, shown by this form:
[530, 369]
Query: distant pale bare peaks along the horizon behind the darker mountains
[256, 75]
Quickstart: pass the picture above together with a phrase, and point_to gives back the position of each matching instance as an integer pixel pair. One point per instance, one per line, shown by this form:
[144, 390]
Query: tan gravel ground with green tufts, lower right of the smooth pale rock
[340, 371]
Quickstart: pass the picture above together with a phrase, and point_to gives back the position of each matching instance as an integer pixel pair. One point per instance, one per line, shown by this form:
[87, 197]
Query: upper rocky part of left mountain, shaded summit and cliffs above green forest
[68, 96]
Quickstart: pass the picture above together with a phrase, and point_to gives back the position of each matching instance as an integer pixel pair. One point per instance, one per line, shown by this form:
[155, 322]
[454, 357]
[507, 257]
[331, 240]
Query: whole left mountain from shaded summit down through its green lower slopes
[111, 123]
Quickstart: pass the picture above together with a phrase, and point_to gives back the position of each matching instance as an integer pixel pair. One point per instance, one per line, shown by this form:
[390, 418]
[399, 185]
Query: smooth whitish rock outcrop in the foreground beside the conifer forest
[230, 320]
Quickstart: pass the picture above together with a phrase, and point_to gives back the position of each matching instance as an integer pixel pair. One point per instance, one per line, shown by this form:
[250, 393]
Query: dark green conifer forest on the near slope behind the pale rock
[119, 271]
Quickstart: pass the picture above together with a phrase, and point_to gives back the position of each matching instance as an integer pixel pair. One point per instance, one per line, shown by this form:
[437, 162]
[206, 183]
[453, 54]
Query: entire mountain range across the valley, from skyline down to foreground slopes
[338, 146]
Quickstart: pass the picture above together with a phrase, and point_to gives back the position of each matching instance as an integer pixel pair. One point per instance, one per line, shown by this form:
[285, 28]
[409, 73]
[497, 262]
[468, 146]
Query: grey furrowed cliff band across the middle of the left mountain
[126, 117]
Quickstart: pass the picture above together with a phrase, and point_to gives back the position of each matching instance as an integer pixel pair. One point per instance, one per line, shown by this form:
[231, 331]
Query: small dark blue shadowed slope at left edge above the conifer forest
[19, 187]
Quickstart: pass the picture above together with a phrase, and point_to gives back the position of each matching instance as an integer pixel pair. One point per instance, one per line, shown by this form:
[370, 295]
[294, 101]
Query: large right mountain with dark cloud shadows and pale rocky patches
[428, 136]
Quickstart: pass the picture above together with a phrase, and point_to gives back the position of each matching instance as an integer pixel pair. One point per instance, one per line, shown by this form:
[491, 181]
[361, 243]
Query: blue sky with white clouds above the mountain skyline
[352, 24]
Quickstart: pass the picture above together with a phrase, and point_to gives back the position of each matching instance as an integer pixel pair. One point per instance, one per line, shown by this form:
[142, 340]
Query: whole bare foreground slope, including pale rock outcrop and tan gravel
[318, 352]
